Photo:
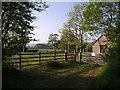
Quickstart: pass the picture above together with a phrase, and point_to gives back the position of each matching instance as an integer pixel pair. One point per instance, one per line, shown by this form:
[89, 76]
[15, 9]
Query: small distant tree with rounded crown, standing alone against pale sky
[52, 40]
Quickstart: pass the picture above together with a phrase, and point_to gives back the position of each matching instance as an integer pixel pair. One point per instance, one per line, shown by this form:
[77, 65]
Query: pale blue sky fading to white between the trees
[50, 21]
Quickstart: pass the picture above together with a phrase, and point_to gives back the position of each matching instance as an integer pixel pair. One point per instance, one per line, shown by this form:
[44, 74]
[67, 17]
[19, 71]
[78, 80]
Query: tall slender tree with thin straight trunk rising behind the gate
[76, 22]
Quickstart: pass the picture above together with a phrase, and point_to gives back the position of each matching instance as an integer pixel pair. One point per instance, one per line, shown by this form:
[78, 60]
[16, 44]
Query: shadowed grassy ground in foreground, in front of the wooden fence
[68, 75]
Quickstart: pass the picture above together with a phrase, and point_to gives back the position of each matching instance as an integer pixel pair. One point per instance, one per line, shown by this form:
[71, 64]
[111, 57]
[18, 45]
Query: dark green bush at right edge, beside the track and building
[110, 77]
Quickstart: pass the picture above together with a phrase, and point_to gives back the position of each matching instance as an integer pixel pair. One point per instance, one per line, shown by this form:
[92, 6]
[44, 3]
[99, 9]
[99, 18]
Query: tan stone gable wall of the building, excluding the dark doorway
[96, 46]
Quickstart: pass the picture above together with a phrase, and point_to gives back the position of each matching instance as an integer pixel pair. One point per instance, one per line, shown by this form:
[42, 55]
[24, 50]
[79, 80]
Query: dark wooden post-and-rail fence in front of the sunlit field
[24, 59]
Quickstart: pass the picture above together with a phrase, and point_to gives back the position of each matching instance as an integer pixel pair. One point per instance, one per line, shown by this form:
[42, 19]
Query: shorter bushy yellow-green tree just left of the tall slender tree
[68, 39]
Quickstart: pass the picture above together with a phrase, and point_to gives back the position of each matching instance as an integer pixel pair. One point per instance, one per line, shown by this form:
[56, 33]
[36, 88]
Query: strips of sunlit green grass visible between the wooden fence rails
[29, 59]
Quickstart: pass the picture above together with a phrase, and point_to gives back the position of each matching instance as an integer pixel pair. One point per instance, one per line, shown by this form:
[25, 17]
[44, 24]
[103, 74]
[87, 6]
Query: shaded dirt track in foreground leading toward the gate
[70, 78]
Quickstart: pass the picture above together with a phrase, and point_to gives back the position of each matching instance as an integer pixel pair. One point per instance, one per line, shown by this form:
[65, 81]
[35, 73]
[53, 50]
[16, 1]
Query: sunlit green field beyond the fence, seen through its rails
[36, 54]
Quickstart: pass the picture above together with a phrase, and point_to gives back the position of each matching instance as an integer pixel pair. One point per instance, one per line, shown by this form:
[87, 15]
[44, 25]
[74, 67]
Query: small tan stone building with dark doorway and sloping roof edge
[99, 45]
